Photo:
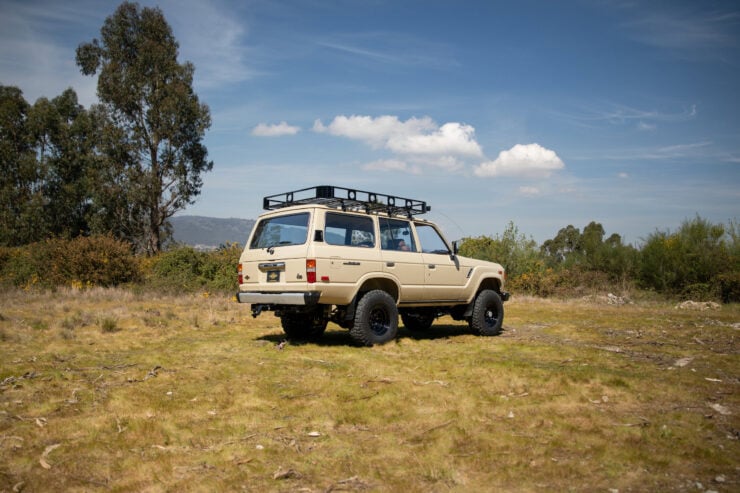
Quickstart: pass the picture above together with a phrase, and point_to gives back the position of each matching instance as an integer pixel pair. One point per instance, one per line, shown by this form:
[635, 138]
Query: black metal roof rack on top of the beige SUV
[347, 199]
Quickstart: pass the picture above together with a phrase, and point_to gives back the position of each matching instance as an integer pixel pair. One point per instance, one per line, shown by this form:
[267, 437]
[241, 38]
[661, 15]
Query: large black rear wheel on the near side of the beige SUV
[376, 319]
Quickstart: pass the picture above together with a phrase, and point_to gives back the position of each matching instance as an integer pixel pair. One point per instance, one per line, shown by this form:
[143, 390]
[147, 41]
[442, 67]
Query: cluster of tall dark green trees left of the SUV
[123, 166]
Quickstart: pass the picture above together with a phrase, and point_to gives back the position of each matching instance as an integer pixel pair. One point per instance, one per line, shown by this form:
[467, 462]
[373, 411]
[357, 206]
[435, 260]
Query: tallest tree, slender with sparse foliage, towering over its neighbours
[150, 99]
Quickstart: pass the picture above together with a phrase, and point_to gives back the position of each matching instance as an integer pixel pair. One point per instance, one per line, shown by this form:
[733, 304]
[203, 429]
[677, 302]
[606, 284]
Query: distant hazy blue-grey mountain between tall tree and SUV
[210, 232]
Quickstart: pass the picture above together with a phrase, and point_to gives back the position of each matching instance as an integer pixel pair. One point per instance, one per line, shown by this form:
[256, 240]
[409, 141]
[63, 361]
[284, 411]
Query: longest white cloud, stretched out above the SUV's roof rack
[415, 136]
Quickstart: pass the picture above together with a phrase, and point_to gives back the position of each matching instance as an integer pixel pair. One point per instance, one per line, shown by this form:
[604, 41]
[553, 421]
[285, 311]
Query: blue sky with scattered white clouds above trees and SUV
[538, 112]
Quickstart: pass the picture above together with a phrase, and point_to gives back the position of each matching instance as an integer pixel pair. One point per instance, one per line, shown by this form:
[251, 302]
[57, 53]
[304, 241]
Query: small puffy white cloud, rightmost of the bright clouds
[526, 161]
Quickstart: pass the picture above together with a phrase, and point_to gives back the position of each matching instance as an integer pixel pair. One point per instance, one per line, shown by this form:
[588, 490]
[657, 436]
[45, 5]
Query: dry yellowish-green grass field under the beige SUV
[109, 390]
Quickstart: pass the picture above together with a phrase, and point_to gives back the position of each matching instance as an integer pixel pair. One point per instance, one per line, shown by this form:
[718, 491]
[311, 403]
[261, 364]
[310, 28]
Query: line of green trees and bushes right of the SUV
[700, 260]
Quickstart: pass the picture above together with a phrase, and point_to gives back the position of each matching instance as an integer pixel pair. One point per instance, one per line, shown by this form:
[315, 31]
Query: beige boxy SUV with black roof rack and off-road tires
[360, 259]
